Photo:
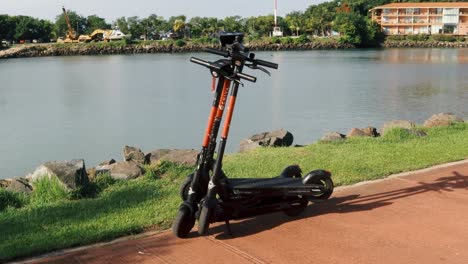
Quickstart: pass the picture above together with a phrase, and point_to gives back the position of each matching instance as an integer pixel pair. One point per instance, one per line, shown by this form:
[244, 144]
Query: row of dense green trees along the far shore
[348, 17]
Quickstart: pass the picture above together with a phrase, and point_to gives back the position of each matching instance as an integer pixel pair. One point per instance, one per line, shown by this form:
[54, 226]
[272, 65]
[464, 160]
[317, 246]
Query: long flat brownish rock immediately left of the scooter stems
[179, 156]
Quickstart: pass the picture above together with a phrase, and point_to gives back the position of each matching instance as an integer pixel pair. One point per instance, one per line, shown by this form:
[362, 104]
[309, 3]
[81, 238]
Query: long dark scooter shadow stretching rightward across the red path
[339, 205]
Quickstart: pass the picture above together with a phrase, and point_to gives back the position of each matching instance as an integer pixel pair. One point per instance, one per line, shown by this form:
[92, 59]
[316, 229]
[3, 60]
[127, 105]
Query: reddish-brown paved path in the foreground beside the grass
[419, 217]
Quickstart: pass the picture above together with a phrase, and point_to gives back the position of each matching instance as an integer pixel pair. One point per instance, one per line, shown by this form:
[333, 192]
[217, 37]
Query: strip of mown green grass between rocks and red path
[150, 203]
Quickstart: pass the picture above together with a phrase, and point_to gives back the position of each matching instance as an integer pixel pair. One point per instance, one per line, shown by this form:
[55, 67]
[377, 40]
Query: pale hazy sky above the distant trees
[111, 9]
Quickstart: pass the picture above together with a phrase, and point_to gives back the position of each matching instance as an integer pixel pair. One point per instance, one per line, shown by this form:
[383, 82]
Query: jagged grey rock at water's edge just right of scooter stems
[277, 138]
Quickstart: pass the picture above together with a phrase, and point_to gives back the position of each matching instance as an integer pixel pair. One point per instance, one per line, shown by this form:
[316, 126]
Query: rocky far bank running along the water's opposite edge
[115, 48]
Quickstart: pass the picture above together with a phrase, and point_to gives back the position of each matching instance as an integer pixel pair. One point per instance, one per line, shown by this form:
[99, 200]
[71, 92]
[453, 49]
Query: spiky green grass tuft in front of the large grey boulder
[48, 191]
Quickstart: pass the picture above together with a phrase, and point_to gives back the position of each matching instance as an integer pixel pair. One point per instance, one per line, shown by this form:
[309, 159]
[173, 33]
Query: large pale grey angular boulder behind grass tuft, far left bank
[72, 174]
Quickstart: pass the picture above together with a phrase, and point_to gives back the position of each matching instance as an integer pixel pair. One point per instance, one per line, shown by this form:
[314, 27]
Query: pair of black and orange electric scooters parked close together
[208, 194]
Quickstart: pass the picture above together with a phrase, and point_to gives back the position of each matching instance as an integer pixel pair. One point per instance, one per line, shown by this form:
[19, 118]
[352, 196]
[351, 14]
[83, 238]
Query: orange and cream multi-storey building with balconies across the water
[422, 18]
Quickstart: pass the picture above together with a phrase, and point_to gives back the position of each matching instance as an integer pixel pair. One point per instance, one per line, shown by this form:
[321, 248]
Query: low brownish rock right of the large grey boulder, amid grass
[125, 170]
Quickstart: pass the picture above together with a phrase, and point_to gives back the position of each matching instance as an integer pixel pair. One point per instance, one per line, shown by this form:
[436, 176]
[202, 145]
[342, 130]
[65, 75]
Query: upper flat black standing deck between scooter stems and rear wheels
[266, 183]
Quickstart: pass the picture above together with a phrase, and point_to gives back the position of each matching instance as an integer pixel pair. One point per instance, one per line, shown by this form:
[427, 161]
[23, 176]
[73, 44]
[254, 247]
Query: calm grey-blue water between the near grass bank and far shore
[61, 108]
